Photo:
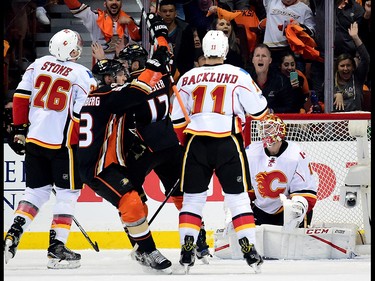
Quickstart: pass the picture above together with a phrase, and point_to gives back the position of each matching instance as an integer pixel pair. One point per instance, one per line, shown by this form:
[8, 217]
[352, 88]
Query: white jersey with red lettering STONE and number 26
[56, 92]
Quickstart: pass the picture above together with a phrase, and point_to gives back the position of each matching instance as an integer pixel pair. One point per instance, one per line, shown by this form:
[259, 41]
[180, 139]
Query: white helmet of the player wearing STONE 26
[63, 43]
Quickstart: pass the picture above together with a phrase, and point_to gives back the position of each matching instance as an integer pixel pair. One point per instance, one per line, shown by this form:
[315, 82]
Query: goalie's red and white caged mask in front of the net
[271, 130]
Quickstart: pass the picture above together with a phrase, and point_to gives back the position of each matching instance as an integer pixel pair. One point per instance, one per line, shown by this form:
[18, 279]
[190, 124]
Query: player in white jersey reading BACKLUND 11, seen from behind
[217, 96]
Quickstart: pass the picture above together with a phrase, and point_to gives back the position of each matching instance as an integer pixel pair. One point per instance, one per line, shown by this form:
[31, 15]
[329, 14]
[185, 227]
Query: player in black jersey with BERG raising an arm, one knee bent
[104, 144]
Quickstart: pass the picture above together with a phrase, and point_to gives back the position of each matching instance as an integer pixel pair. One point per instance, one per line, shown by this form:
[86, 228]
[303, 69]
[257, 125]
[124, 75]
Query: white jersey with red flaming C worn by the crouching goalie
[288, 173]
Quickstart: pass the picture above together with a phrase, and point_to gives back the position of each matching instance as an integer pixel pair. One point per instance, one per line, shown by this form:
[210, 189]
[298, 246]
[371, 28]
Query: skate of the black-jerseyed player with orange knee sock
[155, 260]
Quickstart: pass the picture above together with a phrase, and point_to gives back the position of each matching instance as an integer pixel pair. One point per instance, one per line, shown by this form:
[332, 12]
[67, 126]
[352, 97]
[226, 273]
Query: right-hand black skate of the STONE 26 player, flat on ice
[60, 257]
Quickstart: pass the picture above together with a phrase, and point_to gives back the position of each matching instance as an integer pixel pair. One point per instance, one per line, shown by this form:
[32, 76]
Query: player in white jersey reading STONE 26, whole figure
[46, 108]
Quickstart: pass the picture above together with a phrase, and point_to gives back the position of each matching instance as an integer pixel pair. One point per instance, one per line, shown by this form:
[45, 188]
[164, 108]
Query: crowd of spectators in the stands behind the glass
[265, 36]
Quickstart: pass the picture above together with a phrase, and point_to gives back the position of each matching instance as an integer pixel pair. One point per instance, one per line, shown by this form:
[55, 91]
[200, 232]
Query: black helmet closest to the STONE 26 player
[107, 67]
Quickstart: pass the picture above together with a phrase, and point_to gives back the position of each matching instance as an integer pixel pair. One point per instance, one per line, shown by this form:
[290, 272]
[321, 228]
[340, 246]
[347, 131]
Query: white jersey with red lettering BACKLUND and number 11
[217, 99]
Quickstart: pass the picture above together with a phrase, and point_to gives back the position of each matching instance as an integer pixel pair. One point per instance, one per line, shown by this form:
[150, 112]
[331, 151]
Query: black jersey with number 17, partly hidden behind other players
[152, 118]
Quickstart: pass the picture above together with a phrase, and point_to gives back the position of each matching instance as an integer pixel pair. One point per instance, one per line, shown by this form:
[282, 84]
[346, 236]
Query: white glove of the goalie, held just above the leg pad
[294, 211]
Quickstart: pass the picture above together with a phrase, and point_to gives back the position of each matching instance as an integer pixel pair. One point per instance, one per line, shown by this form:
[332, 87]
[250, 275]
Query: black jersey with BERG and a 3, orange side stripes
[104, 136]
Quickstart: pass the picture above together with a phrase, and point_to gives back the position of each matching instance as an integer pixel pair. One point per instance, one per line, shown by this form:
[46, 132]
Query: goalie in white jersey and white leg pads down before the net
[283, 197]
